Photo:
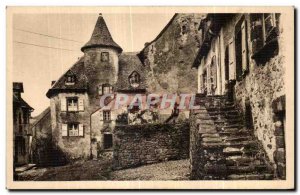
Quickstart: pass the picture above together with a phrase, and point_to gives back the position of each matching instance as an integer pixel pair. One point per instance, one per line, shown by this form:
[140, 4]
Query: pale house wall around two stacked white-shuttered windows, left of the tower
[72, 147]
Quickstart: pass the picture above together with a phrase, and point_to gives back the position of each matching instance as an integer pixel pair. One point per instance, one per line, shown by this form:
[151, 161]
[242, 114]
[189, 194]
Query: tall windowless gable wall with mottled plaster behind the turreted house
[170, 56]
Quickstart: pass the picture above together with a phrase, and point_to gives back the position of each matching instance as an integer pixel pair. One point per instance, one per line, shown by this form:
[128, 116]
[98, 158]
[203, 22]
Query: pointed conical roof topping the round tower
[101, 37]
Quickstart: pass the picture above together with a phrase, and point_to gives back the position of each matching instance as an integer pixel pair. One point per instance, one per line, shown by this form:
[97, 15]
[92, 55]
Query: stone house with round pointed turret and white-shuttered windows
[81, 128]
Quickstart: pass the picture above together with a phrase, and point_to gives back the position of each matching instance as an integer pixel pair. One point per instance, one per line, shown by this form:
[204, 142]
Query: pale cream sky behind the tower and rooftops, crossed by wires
[37, 66]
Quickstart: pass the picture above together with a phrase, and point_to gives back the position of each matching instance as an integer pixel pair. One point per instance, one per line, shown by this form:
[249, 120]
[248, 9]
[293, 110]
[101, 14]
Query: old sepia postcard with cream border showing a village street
[150, 98]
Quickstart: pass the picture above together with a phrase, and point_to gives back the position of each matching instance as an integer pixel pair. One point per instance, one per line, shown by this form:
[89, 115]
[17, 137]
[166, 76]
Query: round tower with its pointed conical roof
[101, 59]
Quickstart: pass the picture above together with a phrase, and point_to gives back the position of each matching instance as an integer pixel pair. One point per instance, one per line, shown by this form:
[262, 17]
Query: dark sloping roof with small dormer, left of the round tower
[80, 84]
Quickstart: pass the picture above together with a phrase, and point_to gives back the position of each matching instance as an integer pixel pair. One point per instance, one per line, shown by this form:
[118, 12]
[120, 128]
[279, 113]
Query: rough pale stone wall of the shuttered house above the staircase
[260, 87]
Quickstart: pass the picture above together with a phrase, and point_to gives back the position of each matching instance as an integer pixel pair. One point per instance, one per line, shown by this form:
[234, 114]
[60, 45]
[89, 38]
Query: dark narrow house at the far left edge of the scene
[22, 135]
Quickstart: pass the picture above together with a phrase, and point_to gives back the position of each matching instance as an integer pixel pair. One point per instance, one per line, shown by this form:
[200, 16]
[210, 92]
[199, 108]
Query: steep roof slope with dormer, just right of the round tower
[129, 62]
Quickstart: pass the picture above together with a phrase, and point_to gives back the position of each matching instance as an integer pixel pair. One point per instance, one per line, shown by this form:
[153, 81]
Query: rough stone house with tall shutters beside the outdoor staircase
[241, 56]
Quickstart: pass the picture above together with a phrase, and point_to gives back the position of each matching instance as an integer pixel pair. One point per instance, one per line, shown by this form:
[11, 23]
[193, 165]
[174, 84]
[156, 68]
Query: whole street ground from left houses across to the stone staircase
[101, 170]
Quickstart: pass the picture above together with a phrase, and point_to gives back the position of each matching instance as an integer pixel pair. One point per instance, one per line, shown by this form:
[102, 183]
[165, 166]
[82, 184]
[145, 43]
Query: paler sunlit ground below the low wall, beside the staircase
[170, 170]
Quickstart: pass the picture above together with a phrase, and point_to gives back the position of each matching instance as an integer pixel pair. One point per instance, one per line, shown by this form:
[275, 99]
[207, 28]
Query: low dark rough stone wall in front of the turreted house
[136, 145]
